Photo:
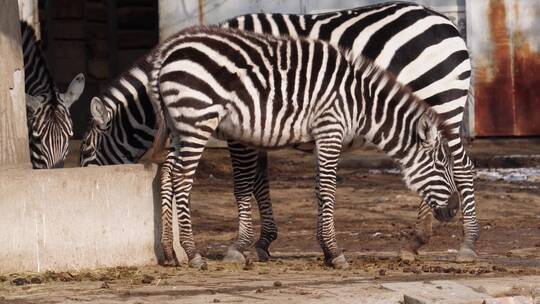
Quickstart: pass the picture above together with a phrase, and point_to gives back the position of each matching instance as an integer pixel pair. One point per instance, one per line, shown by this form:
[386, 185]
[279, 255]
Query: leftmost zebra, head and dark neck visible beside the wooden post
[48, 117]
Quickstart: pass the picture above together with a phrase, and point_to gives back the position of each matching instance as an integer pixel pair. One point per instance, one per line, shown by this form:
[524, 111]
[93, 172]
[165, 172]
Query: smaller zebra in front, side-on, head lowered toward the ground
[248, 87]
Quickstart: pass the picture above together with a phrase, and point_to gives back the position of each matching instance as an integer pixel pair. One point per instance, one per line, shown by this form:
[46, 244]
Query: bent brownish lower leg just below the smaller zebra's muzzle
[421, 235]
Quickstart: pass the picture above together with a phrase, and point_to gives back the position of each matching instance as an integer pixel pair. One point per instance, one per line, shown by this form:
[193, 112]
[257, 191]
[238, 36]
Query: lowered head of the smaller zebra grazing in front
[428, 168]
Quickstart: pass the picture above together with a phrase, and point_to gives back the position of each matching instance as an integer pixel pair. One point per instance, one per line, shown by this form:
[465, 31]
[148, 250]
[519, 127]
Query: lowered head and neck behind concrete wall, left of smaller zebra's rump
[123, 122]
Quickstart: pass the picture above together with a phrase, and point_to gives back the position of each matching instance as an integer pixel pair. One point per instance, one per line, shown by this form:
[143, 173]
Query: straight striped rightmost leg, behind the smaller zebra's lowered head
[464, 177]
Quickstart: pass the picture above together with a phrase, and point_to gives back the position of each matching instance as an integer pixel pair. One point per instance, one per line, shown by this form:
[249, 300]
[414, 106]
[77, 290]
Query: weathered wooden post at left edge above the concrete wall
[13, 129]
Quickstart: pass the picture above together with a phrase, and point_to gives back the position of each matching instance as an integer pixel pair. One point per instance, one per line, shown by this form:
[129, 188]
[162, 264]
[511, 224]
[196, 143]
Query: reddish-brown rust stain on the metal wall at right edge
[507, 92]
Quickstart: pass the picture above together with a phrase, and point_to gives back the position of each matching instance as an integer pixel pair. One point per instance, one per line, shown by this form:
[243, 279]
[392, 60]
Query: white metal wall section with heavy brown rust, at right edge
[504, 40]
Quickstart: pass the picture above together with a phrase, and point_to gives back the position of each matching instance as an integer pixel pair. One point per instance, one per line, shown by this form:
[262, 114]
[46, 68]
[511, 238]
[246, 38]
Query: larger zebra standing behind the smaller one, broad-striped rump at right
[439, 36]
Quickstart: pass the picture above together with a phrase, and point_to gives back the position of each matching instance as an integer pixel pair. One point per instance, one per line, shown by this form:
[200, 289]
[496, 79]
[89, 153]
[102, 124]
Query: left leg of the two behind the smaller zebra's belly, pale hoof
[244, 162]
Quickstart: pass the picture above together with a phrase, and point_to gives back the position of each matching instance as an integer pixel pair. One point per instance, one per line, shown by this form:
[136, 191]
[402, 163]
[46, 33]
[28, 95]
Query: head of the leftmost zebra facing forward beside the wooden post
[50, 126]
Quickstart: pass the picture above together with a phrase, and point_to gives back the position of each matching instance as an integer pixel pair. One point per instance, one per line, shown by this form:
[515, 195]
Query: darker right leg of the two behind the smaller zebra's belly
[261, 191]
